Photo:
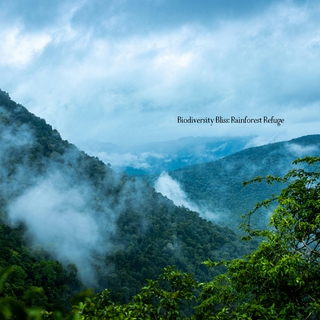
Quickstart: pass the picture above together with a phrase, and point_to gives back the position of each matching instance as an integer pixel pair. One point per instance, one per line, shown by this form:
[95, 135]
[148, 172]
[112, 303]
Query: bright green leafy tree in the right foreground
[279, 280]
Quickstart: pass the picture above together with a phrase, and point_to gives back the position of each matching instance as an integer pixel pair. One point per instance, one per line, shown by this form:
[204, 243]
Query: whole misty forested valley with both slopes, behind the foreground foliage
[69, 222]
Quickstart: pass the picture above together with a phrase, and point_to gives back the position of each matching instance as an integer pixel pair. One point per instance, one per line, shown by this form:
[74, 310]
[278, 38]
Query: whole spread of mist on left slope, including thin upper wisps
[60, 211]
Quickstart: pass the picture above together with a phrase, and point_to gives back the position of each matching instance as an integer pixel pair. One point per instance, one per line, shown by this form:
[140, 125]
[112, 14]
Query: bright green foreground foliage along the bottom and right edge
[279, 280]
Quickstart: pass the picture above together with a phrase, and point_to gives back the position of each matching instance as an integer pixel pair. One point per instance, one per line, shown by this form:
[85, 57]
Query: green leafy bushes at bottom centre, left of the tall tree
[159, 299]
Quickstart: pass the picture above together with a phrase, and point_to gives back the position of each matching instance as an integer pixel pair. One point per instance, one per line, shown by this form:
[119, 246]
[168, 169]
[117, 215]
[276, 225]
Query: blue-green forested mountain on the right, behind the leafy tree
[216, 187]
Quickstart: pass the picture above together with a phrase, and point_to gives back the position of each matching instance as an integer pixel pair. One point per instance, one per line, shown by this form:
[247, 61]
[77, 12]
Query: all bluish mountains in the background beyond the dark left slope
[210, 171]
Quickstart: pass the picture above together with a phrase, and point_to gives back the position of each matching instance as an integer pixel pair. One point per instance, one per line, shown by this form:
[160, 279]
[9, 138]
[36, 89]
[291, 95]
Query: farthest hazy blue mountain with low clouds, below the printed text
[153, 158]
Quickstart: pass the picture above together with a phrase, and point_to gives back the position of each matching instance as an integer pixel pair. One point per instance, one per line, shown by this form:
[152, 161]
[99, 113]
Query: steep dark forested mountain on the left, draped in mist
[67, 209]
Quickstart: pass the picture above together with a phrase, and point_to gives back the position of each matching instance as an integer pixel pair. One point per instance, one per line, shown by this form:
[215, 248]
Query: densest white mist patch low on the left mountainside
[59, 218]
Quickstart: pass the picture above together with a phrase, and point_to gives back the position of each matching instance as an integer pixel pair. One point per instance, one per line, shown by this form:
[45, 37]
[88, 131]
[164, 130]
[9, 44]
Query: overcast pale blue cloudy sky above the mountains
[122, 71]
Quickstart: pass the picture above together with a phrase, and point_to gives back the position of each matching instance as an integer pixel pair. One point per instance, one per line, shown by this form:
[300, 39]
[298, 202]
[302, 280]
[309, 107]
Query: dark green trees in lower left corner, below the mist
[43, 283]
